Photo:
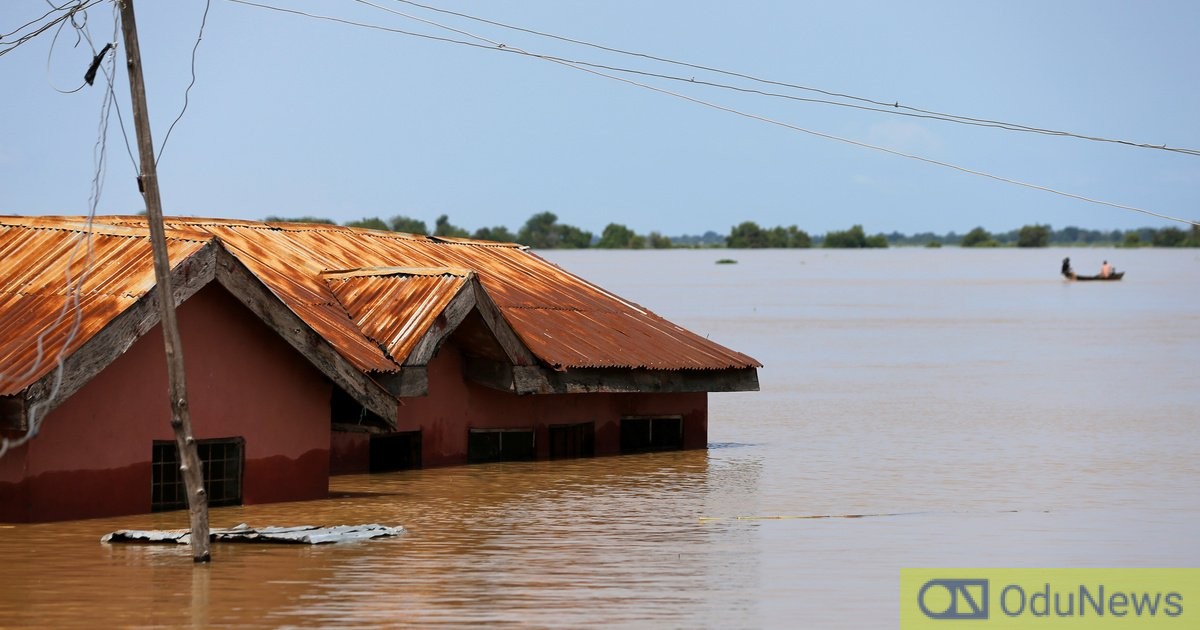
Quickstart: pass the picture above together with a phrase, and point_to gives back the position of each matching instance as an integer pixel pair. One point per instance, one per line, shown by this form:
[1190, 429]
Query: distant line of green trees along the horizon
[544, 232]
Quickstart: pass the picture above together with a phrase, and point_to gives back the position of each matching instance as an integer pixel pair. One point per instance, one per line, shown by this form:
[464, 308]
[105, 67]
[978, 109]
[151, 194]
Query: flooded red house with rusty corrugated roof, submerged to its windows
[316, 350]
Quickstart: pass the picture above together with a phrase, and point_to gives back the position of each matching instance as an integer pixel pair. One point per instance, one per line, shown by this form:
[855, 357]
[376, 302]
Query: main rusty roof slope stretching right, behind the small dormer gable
[566, 321]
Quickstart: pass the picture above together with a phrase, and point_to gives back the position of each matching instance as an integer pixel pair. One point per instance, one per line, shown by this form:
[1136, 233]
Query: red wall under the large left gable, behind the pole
[93, 455]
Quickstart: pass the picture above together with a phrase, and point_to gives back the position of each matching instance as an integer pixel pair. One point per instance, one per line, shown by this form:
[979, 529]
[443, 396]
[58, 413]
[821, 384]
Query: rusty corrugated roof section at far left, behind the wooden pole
[58, 289]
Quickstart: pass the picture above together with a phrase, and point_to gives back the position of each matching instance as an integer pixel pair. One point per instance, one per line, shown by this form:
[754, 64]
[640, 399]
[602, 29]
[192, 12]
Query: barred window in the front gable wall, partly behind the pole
[223, 473]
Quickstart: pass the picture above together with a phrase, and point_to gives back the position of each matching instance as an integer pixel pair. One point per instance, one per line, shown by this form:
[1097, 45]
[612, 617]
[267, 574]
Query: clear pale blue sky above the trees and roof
[291, 116]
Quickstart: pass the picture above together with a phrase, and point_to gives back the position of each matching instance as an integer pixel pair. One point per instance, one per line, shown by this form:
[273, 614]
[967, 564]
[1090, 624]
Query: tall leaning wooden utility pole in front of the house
[177, 388]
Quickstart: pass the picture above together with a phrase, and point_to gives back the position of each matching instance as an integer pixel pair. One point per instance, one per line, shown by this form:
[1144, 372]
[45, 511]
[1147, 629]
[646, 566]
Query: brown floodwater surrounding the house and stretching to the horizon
[919, 409]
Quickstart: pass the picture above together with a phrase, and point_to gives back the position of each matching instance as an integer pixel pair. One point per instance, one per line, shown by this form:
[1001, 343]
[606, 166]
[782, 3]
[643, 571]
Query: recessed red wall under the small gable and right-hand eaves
[454, 406]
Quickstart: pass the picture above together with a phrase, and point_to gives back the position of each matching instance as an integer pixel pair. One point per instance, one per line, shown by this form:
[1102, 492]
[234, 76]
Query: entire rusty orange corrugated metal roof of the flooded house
[331, 278]
